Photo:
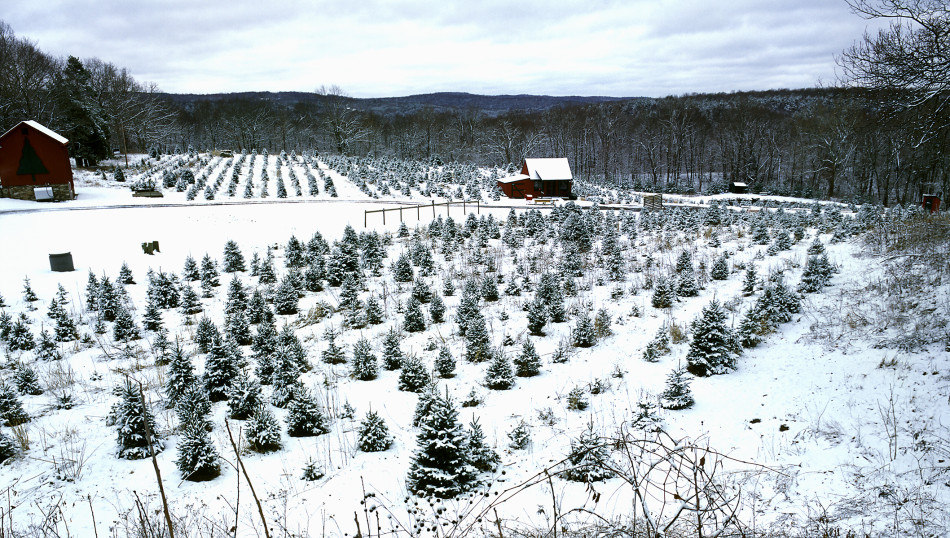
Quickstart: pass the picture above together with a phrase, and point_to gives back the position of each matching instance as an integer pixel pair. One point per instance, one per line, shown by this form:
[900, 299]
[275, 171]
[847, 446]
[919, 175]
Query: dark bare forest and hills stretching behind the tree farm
[823, 142]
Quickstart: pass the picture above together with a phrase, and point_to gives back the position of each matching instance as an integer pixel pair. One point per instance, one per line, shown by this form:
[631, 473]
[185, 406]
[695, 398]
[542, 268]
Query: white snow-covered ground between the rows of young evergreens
[819, 424]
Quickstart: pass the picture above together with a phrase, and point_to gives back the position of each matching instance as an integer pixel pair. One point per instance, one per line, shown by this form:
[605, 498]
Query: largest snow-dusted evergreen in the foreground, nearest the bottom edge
[441, 465]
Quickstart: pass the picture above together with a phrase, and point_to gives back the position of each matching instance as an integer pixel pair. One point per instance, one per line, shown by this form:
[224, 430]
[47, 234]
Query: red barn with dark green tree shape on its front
[32, 156]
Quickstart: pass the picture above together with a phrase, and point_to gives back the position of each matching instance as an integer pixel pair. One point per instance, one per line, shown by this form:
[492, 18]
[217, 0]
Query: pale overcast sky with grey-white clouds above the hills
[382, 48]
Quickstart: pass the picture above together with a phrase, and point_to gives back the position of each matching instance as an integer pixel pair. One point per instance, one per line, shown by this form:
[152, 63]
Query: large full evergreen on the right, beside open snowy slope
[714, 346]
